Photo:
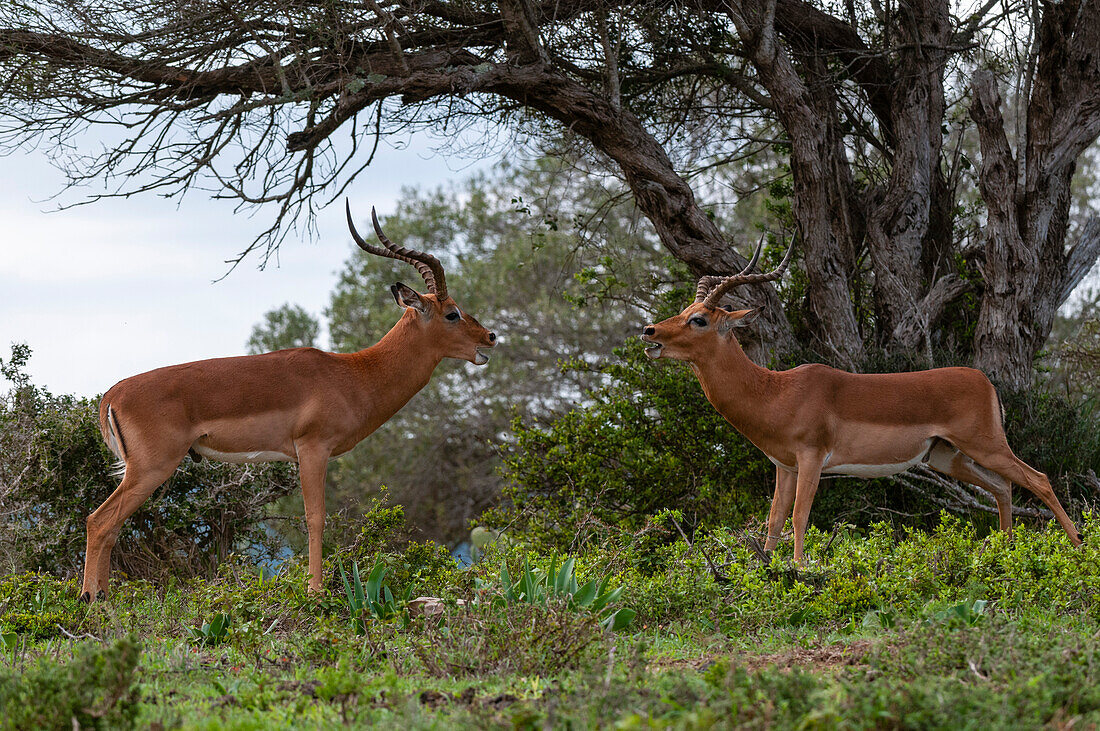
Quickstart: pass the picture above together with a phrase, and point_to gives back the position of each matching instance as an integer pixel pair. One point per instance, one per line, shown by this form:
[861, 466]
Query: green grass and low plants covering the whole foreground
[877, 632]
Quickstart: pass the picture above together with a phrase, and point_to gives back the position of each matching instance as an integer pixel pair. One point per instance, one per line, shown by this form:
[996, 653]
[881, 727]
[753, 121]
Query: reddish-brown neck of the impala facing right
[398, 367]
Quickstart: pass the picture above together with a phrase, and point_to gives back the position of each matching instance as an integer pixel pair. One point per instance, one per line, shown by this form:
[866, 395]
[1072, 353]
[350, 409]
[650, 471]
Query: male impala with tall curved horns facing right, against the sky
[301, 405]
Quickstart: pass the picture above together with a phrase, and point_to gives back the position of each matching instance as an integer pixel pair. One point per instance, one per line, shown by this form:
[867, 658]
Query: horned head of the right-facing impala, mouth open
[455, 333]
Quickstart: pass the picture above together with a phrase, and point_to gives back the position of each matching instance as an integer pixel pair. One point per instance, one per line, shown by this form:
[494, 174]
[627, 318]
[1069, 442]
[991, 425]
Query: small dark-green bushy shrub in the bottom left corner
[95, 690]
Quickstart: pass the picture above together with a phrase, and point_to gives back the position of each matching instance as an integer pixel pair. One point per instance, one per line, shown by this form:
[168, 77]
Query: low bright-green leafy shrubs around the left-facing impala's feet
[852, 577]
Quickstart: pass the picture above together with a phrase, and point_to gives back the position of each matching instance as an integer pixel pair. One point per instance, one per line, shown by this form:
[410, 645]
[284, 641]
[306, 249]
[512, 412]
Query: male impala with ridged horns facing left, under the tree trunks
[816, 420]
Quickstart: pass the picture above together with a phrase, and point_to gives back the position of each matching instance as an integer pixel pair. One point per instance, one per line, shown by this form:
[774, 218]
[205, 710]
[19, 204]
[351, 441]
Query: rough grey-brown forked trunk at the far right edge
[1027, 265]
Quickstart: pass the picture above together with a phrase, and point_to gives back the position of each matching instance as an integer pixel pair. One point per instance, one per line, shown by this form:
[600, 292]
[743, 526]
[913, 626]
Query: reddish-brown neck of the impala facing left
[739, 389]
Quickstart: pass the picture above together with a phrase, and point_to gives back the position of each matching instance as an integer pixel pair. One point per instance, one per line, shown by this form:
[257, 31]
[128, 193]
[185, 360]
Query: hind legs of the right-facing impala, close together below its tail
[105, 524]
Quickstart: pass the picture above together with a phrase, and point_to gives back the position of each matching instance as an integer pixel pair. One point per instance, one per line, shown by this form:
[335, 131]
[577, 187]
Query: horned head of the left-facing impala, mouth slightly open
[707, 324]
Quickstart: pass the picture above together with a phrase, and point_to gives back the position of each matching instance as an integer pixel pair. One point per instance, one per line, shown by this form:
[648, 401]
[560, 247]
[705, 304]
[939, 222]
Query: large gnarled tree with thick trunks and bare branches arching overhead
[865, 108]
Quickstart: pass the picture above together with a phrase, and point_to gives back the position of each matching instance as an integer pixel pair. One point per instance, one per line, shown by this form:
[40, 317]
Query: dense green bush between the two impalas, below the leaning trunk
[648, 441]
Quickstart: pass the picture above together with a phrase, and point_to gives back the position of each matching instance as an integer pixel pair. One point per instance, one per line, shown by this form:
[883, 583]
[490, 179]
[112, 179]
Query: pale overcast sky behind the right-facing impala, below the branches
[107, 291]
